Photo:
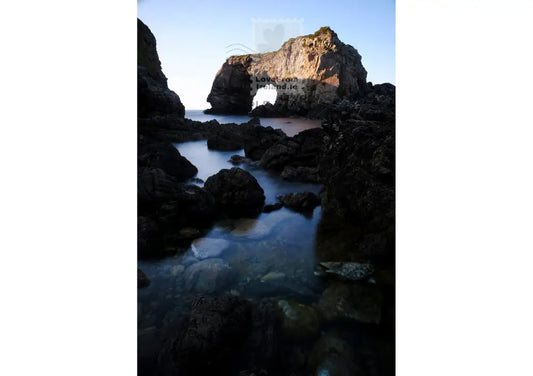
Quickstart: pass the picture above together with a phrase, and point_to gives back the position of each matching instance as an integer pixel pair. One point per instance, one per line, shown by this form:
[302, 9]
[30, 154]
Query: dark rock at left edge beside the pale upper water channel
[166, 157]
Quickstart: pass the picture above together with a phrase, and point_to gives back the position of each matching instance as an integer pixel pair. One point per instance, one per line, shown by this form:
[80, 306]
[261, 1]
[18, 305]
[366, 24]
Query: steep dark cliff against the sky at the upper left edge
[153, 95]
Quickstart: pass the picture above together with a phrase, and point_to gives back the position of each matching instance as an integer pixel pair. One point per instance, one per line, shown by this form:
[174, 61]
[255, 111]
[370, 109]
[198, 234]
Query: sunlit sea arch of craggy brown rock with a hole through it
[308, 71]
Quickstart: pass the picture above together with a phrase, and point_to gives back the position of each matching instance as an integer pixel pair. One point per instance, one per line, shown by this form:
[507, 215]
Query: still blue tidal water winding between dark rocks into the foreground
[272, 256]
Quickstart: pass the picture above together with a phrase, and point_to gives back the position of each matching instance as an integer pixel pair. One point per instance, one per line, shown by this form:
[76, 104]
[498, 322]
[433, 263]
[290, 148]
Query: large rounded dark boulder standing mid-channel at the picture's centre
[236, 192]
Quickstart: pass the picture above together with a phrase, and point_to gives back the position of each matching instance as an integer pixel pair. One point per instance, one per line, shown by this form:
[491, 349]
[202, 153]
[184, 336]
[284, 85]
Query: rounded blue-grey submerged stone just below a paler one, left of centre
[208, 276]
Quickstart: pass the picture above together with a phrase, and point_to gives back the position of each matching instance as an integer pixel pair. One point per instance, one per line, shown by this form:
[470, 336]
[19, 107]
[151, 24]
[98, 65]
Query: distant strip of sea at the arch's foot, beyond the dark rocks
[291, 126]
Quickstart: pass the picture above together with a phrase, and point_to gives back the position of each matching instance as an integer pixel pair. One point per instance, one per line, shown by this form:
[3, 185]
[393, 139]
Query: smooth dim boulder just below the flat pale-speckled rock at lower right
[351, 302]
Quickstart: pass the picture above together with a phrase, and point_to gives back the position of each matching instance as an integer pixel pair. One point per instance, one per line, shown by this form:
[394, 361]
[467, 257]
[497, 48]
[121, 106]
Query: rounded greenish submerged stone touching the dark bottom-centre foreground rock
[300, 322]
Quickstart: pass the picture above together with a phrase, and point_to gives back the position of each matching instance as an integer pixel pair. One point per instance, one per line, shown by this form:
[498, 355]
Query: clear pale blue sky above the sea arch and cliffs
[194, 37]
